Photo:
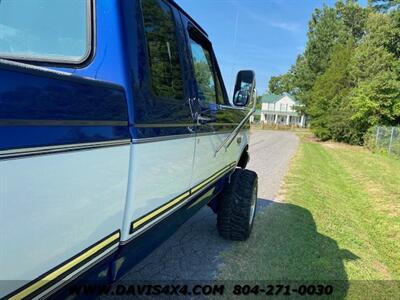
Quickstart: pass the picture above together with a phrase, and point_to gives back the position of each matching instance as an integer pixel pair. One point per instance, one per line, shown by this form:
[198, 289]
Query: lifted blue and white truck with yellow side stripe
[115, 128]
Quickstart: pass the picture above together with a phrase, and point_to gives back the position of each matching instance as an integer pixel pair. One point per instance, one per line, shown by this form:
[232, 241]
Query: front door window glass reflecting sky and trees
[203, 72]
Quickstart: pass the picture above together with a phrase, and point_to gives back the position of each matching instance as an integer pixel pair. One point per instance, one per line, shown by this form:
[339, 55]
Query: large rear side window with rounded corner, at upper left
[45, 30]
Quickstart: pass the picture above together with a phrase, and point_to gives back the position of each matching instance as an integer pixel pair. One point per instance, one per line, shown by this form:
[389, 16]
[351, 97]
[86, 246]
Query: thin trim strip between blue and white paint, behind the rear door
[21, 152]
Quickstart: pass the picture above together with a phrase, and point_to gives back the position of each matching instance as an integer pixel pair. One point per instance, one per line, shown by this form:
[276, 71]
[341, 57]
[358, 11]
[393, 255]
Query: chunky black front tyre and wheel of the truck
[237, 206]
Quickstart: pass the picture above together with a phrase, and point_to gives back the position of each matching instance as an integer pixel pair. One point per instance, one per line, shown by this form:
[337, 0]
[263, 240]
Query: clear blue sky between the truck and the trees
[262, 35]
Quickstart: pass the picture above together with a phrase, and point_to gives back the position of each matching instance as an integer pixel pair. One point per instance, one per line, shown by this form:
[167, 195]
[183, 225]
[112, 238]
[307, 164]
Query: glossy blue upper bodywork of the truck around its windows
[37, 107]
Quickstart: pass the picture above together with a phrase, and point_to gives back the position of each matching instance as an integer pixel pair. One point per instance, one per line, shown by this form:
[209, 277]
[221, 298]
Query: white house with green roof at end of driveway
[280, 109]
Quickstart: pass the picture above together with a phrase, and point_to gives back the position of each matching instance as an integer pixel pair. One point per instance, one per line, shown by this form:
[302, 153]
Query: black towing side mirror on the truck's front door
[245, 89]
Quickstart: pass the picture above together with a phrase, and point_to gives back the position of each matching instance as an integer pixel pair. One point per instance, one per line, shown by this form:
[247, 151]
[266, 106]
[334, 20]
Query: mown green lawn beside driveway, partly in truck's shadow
[339, 221]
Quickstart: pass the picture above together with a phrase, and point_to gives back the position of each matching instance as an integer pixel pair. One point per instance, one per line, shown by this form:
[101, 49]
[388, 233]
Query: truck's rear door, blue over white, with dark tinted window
[164, 135]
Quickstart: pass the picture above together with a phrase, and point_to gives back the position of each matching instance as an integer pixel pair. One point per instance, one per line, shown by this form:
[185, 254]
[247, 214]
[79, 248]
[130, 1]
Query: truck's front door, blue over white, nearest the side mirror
[216, 118]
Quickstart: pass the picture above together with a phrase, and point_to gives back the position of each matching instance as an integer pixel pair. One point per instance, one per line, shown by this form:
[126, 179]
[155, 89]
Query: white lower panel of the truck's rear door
[159, 172]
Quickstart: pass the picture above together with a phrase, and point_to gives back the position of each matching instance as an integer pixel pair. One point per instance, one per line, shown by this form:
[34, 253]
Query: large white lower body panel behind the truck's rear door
[54, 206]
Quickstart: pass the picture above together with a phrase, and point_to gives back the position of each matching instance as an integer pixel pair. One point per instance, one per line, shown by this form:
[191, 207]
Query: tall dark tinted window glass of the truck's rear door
[159, 24]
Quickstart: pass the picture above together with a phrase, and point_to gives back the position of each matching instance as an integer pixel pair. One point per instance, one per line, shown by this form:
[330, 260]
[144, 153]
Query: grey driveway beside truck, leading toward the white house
[193, 251]
